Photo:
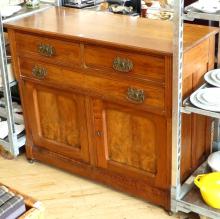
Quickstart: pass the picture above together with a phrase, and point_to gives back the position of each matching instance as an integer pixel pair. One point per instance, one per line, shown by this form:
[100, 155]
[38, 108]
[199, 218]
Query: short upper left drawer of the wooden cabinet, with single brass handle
[50, 50]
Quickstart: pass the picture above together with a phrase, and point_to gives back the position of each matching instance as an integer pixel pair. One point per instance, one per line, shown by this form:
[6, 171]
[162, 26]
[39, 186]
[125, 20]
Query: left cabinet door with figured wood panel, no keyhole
[57, 120]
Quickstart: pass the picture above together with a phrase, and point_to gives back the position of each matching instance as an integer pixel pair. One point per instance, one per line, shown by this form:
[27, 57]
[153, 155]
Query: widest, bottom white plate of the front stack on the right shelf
[194, 100]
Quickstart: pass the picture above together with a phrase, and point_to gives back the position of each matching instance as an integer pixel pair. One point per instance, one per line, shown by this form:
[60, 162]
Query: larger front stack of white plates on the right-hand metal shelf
[208, 99]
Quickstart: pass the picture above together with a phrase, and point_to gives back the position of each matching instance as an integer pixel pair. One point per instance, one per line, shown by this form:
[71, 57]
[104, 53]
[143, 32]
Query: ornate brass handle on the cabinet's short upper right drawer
[122, 64]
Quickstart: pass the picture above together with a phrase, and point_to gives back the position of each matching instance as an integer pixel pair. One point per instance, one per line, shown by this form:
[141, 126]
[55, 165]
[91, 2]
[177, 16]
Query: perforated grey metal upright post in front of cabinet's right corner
[177, 100]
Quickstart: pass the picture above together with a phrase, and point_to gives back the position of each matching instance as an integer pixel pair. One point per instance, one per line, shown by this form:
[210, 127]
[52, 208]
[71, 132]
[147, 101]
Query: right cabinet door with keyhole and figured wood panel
[132, 143]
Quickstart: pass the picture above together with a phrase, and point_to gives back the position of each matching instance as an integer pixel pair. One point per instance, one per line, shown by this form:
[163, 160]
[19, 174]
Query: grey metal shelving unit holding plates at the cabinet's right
[185, 197]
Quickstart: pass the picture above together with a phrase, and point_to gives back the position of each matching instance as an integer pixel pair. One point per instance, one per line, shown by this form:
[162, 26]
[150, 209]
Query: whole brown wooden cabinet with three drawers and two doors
[98, 101]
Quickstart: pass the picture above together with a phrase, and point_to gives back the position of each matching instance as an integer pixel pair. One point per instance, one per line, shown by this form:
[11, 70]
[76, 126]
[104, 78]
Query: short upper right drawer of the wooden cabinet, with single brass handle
[140, 65]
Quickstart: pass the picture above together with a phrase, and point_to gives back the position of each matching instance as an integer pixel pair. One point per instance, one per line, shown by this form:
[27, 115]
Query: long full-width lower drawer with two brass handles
[144, 96]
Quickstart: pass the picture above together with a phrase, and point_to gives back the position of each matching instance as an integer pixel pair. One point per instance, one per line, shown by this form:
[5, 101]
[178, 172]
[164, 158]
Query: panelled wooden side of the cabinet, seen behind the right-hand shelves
[195, 129]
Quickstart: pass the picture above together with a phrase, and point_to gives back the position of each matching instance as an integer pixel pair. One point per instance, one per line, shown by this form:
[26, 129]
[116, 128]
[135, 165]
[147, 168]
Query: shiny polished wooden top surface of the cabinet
[110, 29]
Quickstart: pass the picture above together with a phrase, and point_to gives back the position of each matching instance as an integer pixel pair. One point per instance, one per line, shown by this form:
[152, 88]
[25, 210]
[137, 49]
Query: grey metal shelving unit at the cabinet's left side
[13, 142]
